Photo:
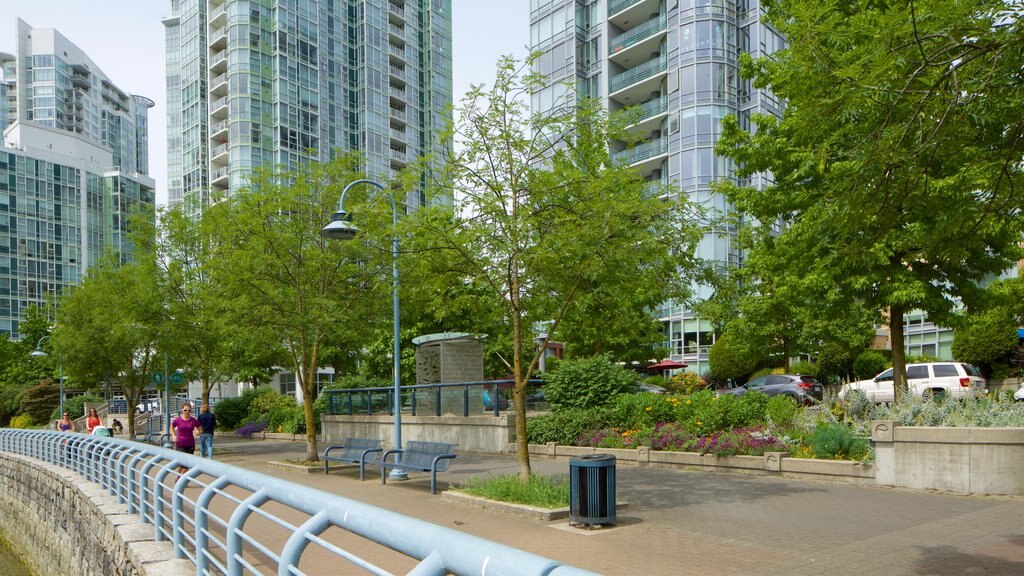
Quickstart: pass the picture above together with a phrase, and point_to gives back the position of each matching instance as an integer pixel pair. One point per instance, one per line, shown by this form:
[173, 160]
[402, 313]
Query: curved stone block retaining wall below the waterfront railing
[64, 525]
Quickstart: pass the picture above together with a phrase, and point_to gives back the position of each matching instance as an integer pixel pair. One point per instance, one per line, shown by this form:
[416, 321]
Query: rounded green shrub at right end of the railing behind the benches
[589, 383]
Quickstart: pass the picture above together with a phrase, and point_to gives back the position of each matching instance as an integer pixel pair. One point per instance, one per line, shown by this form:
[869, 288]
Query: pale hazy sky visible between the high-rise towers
[125, 38]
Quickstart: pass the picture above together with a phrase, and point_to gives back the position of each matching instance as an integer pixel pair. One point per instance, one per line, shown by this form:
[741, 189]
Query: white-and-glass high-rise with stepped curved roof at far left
[73, 170]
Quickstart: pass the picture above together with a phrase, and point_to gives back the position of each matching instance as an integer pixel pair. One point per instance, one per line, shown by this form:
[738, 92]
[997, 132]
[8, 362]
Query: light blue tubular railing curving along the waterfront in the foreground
[228, 520]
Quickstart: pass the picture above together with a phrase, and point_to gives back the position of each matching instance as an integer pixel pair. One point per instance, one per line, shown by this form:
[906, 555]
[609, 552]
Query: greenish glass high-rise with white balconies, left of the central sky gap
[254, 84]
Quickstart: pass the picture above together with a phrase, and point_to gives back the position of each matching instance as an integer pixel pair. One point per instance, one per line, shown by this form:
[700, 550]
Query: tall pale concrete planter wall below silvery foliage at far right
[962, 461]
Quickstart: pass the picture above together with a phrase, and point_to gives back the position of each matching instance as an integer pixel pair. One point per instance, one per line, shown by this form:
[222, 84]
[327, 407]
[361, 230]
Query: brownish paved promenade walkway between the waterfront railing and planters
[696, 523]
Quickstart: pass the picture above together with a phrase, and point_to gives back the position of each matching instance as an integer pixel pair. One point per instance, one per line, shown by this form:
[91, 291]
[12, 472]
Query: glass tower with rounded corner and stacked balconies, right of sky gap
[678, 62]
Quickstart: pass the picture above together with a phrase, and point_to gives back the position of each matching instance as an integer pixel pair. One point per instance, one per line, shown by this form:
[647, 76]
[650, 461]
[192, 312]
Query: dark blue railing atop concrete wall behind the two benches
[488, 395]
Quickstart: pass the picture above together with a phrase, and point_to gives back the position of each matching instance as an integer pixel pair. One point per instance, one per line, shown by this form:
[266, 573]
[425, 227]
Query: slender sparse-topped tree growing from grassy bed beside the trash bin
[547, 220]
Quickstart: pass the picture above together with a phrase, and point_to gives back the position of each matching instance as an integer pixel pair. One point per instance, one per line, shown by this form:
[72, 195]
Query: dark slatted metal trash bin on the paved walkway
[592, 490]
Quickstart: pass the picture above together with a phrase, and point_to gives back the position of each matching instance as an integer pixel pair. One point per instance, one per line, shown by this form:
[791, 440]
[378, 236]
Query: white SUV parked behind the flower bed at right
[934, 379]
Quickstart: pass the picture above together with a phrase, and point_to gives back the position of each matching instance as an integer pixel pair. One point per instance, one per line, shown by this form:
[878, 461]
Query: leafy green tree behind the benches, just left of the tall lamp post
[292, 286]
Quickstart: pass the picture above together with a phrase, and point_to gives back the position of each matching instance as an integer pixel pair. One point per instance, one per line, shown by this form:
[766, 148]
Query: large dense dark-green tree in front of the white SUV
[898, 160]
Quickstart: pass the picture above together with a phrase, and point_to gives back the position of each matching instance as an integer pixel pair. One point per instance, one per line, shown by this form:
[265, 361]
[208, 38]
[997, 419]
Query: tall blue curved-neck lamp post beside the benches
[342, 228]
